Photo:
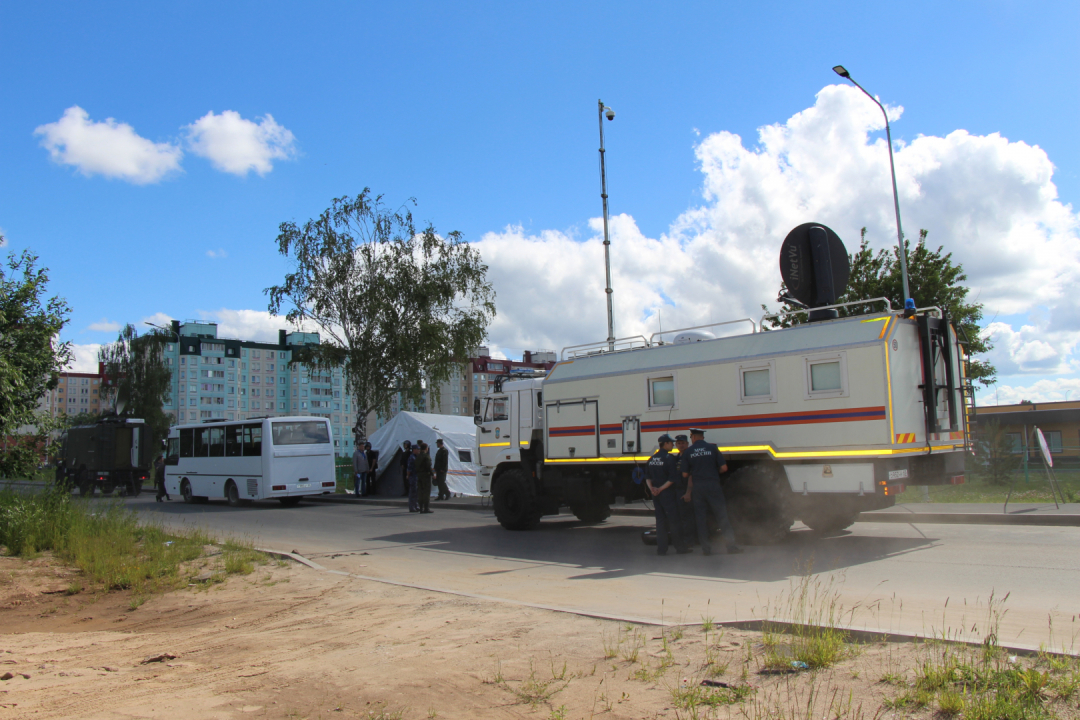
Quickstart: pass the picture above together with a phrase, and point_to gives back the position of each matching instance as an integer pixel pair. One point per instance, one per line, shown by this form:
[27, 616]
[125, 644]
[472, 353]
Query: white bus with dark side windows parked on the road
[258, 459]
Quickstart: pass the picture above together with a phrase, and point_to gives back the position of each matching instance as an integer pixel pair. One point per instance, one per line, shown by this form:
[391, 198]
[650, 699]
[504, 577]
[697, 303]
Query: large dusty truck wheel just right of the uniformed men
[759, 506]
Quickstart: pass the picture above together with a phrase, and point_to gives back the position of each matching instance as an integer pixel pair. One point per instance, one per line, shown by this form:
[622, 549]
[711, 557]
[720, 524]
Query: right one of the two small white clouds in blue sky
[238, 146]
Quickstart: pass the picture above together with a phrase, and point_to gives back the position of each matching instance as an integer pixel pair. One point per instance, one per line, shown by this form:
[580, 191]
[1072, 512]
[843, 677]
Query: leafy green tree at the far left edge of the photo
[31, 360]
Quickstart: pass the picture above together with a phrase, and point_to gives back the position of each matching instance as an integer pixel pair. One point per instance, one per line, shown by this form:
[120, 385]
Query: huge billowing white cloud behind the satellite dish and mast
[991, 202]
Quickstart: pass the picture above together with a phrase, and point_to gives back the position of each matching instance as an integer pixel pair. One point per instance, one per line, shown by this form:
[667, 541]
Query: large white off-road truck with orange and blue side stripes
[819, 422]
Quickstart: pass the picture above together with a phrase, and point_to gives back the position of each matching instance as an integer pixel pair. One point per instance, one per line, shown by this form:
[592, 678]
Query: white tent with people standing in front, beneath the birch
[458, 434]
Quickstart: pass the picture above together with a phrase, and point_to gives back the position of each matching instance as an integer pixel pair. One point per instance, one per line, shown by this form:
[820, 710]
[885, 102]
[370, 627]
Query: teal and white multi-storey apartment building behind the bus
[226, 379]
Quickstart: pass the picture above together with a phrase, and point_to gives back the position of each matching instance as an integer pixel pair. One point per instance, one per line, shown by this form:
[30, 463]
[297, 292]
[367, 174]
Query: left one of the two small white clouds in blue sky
[109, 148]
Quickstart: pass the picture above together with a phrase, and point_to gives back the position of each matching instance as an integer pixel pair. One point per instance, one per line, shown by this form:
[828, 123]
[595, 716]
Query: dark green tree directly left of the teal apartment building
[138, 379]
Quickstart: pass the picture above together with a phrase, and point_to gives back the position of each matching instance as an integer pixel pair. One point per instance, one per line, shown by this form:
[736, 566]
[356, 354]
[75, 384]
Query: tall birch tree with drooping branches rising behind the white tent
[397, 307]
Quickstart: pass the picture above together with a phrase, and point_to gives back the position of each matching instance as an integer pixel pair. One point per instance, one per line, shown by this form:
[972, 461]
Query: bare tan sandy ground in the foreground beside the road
[288, 642]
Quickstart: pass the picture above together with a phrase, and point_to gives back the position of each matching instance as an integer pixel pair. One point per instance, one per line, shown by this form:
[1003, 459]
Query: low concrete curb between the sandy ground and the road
[861, 635]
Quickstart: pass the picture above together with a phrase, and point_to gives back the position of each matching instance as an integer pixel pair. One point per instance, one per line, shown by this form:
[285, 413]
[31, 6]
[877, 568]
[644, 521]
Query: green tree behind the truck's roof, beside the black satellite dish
[934, 279]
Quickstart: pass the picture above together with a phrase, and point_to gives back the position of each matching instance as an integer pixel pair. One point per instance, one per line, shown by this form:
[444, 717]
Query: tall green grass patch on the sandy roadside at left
[107, 542]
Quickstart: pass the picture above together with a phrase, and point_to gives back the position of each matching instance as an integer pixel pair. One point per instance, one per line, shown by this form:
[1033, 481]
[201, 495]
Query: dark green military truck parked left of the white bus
[113, 454]
